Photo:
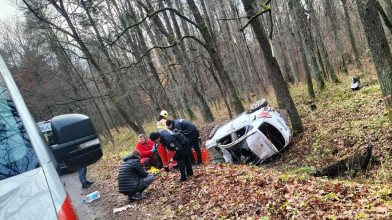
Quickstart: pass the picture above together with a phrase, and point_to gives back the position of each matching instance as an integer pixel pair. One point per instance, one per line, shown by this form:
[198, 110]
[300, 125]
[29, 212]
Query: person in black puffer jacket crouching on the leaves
[132, 178]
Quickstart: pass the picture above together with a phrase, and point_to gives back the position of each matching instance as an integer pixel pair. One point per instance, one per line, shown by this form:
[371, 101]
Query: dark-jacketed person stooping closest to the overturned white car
[191, 132]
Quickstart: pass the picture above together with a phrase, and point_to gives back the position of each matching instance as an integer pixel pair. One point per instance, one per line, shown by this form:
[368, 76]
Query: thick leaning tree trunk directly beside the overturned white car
[281, 91]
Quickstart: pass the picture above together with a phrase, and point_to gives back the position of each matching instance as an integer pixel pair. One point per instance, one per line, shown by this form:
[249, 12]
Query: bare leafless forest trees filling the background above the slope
[121, 62]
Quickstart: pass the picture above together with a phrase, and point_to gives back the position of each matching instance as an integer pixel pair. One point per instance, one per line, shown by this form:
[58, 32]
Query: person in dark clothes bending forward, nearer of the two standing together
[177, 142]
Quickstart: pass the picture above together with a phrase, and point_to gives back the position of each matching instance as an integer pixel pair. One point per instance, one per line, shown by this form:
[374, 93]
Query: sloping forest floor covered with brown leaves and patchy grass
[281, 188]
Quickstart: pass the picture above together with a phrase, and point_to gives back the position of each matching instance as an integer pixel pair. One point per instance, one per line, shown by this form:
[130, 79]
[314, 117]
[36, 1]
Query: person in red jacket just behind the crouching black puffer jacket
[147, 150]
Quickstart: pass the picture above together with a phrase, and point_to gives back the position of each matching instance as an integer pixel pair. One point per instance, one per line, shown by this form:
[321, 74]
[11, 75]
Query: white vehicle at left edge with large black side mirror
[29, 170]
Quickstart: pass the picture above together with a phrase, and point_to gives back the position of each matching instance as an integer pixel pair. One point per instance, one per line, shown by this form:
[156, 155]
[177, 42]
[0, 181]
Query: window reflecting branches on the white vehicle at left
[16, 152]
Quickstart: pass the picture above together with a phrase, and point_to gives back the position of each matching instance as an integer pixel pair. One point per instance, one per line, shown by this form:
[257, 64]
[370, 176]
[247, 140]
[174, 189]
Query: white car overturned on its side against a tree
[251, 137]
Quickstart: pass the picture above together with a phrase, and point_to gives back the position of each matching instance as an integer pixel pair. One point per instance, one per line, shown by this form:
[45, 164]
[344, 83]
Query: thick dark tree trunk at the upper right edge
[379, 48]
